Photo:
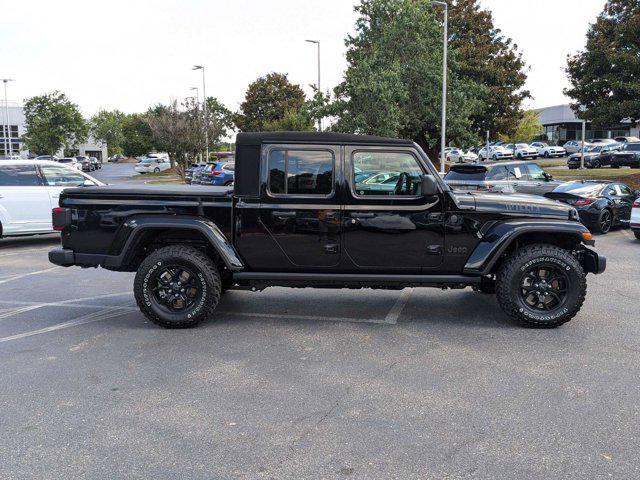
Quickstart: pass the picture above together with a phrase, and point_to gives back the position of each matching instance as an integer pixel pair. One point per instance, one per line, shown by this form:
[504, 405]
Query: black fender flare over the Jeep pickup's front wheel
[500, 235]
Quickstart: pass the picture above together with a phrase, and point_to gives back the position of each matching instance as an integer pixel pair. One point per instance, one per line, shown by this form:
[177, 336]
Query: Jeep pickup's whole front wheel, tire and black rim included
[541, 286]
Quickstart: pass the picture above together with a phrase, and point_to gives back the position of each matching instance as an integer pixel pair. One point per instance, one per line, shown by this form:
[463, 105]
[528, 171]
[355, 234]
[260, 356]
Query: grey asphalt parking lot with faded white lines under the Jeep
[313, 383]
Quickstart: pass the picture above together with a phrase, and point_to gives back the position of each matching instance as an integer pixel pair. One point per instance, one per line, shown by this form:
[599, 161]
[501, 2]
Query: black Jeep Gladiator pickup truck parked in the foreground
[334, 211]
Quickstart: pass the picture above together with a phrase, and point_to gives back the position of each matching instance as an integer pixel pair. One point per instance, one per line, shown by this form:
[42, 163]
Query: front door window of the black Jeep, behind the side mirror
[387, 173]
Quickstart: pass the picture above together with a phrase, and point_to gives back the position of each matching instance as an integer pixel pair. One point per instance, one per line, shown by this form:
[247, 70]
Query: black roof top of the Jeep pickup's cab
[258, 138]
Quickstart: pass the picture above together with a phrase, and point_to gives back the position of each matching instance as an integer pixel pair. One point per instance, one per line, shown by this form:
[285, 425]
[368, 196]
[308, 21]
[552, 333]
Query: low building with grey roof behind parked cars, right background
[561, 124]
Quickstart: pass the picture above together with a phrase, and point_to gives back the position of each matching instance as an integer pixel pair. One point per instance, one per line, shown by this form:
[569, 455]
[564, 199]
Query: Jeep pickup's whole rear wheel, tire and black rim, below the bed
[177, 287]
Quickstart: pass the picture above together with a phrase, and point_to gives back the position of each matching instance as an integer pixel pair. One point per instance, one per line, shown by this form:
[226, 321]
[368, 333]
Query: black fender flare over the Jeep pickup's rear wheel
[132, 230]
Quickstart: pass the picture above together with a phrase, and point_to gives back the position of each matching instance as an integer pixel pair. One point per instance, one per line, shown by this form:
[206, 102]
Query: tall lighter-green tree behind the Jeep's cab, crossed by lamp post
[393, 81]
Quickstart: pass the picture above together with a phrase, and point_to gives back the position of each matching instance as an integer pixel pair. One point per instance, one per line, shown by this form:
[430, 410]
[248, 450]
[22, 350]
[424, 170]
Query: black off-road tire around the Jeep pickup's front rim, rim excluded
[508, 285]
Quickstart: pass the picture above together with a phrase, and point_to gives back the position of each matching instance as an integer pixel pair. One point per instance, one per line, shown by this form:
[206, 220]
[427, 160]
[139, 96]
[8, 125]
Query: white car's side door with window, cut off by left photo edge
[24, 201]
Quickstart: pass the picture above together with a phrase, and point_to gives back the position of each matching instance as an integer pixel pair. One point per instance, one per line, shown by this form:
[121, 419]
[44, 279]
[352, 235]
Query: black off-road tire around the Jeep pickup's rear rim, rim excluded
[208, 280]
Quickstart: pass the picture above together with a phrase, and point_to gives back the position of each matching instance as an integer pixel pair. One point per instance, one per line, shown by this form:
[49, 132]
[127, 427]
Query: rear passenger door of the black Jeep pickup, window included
[300, 209]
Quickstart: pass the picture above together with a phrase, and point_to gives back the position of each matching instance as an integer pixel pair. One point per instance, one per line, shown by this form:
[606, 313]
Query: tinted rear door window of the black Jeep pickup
[301, 172]
